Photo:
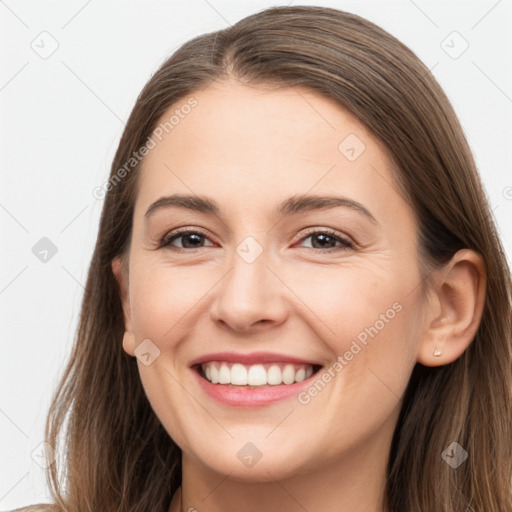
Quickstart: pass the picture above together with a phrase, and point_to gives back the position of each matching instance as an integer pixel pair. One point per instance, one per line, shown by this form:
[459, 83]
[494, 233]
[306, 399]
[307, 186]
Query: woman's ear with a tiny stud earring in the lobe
[454, 310]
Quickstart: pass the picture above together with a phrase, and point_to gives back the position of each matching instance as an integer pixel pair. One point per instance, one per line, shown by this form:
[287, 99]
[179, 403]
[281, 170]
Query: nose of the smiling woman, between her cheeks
[250, 296]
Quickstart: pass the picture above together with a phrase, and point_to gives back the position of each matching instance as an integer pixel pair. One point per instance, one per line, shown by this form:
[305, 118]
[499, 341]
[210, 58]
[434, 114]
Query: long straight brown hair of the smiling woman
[112, 451]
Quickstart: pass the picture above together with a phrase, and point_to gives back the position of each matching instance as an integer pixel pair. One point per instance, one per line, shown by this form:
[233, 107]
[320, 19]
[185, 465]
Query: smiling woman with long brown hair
[298, 298]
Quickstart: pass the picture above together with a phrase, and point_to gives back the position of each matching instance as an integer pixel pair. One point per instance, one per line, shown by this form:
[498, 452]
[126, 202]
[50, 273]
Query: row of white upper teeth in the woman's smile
[256, 374]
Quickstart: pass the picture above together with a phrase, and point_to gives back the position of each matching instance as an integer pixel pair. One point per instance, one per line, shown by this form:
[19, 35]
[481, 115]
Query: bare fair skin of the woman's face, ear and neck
[249, 148]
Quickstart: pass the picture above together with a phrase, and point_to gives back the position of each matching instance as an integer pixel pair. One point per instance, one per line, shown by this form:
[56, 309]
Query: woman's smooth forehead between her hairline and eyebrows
[255, 141]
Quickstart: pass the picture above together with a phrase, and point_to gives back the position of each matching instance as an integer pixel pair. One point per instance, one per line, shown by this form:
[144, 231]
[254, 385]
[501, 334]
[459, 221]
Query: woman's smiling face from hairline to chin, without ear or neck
[264, 289]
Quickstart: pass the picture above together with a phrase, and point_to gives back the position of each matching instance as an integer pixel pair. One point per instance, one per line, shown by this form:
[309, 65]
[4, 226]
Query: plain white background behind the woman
[61, 121]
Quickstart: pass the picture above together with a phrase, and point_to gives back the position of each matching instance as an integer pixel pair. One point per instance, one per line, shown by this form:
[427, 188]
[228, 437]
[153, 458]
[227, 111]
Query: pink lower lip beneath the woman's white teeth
[244, 396]
